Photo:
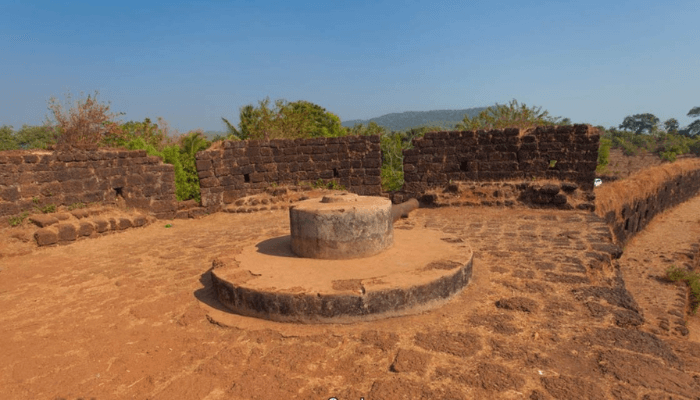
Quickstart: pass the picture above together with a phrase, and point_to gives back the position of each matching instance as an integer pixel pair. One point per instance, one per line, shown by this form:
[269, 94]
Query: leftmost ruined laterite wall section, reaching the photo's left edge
[32, 179]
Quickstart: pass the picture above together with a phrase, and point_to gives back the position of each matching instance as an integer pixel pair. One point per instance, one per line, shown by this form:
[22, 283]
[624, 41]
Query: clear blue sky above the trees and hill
[194, 62]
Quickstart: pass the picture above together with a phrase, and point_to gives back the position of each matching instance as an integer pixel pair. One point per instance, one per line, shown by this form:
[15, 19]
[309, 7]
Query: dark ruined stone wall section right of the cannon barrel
[561, 153]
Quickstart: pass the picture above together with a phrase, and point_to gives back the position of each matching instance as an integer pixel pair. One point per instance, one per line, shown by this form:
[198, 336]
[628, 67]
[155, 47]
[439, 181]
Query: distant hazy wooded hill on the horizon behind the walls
[413, 119]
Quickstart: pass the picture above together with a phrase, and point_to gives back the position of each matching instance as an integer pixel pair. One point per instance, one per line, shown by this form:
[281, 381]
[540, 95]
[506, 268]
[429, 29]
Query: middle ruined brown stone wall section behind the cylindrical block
[243, 168]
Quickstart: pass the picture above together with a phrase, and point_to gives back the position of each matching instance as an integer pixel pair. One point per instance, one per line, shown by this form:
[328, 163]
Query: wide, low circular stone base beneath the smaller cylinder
[422, 270]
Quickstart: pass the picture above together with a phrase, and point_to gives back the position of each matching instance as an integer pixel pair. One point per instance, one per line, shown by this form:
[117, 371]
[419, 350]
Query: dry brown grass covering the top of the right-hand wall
[613, 196]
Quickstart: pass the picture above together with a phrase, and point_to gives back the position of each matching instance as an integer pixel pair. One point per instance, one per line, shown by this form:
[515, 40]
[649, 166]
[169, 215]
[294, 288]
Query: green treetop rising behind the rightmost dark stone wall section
[509, 115]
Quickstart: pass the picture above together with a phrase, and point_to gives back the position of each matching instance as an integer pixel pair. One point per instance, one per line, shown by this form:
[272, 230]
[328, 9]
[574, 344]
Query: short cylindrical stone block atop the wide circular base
[341, 226]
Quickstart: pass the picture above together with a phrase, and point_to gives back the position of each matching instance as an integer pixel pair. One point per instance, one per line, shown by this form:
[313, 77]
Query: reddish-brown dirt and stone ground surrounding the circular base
[547, 316]
